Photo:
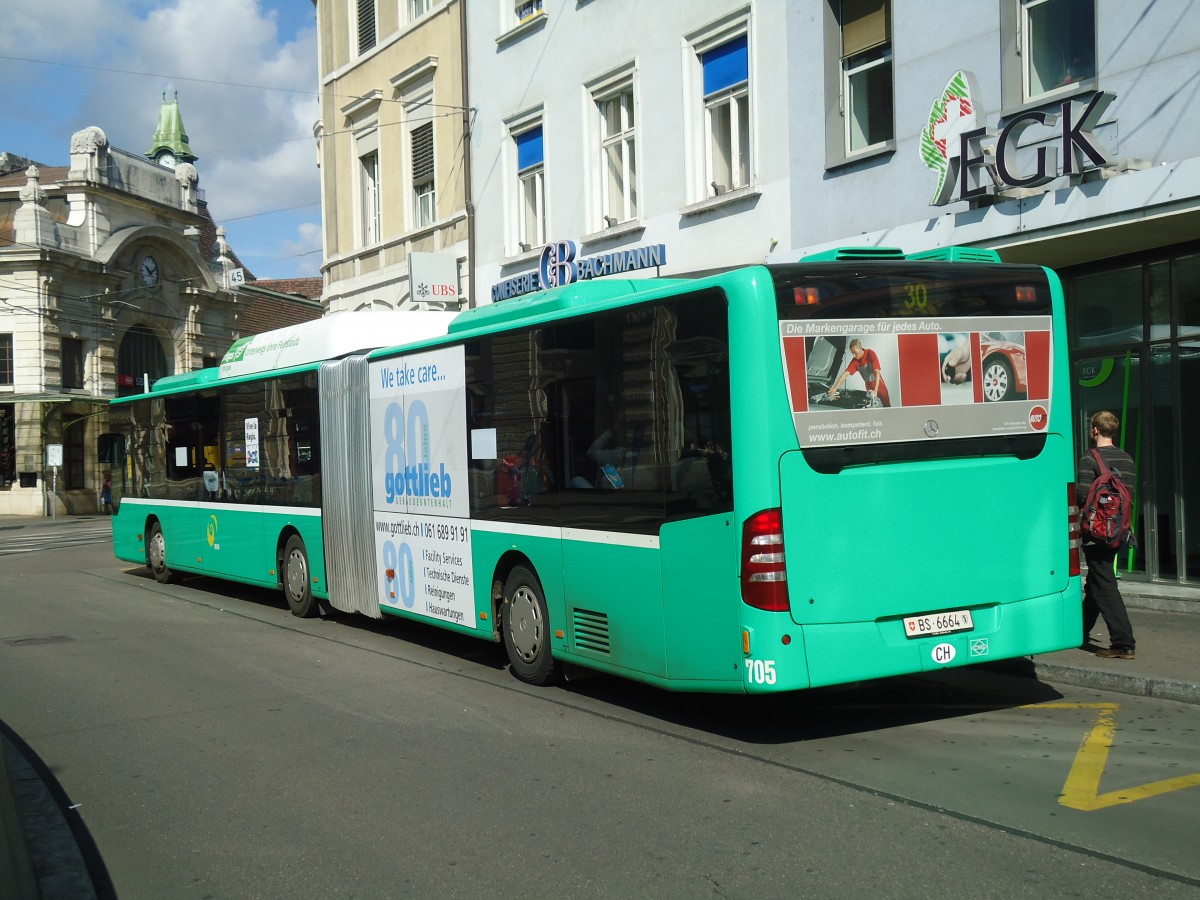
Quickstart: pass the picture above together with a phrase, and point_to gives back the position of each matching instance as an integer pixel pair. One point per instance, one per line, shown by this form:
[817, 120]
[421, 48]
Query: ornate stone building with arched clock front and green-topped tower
[112, 273]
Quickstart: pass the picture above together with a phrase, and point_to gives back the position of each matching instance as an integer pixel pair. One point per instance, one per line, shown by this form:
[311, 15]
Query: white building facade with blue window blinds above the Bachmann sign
[637, 136]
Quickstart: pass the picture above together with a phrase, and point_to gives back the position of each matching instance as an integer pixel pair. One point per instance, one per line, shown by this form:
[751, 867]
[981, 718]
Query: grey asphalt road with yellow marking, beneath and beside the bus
[215, 747]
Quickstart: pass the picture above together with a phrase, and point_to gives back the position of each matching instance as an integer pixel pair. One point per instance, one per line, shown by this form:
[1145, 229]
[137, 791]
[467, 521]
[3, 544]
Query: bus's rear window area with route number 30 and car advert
[880, 355]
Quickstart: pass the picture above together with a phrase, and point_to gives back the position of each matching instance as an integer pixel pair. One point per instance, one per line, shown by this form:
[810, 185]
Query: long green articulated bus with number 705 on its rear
[770, 479]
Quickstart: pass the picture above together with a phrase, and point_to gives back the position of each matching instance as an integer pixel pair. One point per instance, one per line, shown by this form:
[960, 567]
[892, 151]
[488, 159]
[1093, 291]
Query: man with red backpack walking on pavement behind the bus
[1101, 593]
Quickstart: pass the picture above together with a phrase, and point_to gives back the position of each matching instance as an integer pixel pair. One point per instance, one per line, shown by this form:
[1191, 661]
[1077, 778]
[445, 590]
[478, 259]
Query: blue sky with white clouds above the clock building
[245, 73]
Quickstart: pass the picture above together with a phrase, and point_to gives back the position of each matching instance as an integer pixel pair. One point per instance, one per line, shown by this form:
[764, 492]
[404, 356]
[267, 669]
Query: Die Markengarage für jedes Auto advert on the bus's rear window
[855, 382]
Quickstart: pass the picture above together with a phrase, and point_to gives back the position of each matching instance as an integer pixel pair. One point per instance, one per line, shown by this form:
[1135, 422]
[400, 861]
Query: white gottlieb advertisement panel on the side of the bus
[419, 485]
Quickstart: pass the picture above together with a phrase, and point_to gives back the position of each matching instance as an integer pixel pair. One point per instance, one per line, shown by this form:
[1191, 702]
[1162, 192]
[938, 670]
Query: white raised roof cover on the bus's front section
[331, 338]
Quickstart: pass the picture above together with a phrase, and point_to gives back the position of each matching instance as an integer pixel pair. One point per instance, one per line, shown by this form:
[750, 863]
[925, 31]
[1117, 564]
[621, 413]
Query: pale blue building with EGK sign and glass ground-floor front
[1058, 133]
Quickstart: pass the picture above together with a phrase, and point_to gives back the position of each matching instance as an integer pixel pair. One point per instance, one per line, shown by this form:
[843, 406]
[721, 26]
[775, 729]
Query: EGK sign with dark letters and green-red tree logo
[974, 160]
